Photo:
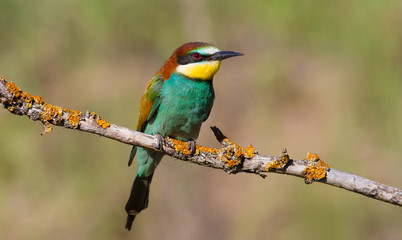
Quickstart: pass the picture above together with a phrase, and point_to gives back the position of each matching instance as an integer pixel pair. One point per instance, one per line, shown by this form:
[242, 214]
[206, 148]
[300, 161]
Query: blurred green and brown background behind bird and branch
[318, 76]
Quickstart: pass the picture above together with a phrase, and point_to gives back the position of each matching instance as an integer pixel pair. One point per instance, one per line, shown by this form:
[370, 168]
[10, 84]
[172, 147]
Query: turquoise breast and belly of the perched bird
[185, 104]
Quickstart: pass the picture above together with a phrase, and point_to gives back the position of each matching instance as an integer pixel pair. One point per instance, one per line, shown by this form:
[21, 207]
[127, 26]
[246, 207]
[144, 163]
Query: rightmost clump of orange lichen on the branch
[316, 169]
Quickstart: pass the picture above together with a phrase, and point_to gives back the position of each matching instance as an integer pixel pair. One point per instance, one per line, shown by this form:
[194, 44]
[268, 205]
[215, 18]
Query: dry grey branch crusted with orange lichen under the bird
[231, 158]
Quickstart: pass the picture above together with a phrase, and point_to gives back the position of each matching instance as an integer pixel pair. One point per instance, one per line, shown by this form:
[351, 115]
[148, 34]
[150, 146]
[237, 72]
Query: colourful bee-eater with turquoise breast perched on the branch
[176, 101]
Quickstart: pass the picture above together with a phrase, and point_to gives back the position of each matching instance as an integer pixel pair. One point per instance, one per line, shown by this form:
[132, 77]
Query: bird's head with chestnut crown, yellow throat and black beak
[195, 60]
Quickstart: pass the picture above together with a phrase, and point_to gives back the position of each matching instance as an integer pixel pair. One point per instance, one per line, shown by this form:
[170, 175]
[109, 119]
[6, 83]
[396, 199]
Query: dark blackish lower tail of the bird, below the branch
[138, 200]
